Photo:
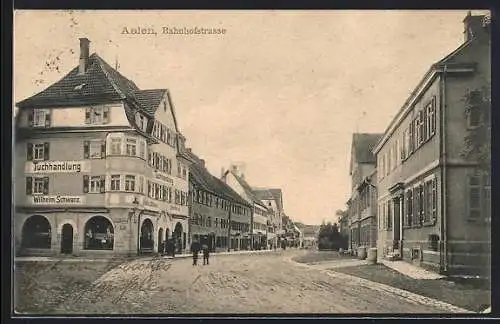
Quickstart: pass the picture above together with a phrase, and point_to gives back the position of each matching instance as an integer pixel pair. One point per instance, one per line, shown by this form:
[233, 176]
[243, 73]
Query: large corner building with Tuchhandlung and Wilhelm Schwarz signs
[94, 156]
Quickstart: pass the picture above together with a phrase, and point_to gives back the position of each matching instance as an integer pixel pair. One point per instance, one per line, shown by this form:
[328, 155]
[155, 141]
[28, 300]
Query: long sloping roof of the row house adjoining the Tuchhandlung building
[200, 175]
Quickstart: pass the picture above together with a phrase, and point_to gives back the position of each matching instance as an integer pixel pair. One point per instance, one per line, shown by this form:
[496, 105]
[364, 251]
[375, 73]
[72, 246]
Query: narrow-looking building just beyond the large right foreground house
[362, 216]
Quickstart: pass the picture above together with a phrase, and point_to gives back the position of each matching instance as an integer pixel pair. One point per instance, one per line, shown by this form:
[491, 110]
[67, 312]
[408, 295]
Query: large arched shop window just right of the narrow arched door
[99, 234]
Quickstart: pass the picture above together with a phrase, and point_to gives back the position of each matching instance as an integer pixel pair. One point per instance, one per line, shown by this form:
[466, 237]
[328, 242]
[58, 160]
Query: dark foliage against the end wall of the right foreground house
[477, 142]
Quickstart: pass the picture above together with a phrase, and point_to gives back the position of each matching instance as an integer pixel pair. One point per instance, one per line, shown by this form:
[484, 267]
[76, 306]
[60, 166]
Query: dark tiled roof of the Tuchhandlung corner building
[99, 84]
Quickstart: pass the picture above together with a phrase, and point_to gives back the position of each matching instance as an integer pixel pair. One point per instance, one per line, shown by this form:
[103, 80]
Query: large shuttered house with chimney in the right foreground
[435, 203]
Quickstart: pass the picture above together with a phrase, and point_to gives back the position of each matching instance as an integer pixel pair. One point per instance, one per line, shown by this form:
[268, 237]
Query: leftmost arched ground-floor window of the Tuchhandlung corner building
[36, 233]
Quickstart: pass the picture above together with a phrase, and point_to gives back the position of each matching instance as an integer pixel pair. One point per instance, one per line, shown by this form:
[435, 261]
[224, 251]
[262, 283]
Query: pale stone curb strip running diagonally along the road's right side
[415, 298]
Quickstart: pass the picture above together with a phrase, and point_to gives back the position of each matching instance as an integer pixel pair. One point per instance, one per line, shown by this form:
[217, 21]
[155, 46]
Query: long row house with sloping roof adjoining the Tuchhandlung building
[215, 210]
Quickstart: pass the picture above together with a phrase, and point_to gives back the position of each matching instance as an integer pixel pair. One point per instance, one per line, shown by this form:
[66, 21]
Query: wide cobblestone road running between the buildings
[265, 283]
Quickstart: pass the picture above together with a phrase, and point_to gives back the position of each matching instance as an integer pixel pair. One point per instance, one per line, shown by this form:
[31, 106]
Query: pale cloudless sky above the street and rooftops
[281, 91]
